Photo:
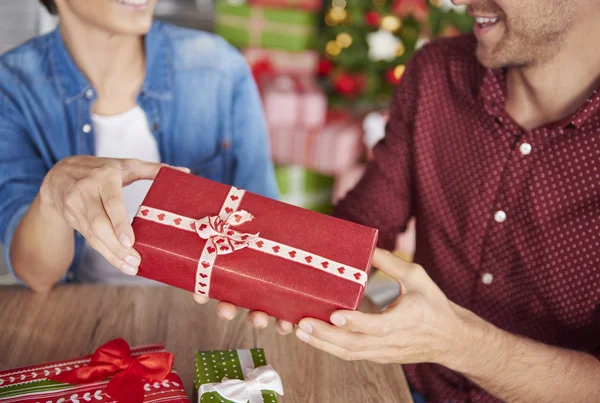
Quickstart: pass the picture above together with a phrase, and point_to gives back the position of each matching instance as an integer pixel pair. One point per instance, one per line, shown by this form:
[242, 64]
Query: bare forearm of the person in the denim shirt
[43, 247]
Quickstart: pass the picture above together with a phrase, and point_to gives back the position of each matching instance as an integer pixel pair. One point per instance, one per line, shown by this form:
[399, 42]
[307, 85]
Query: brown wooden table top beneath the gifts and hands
[75, 320]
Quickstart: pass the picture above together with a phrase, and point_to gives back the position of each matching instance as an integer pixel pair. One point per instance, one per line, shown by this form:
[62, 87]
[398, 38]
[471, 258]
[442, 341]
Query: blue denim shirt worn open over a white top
[199, 97]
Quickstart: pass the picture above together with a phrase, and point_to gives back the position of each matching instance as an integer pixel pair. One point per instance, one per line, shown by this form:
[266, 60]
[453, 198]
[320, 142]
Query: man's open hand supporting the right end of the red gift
[422, 325]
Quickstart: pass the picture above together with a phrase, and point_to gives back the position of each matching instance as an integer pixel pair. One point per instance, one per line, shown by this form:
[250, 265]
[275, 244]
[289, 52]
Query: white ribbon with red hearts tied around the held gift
[222, 239]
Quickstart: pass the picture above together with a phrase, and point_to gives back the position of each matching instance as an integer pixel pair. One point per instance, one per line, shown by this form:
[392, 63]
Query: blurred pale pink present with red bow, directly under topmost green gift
[269, 62]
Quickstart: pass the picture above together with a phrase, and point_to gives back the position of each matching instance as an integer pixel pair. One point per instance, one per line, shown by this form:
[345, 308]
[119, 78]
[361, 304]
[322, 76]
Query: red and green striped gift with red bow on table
[114, 373]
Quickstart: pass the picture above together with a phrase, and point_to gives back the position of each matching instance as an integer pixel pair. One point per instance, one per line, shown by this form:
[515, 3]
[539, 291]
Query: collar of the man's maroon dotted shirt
[493, 92]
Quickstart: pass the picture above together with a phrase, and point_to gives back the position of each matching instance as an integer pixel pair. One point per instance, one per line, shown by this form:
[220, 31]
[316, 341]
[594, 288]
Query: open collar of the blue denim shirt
[72, 84]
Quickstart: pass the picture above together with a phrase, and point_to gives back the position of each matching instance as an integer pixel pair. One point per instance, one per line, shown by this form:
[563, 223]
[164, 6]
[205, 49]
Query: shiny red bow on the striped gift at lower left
[129, 373]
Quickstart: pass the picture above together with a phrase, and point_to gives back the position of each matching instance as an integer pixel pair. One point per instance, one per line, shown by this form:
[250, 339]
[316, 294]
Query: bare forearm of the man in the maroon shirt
[516, 369]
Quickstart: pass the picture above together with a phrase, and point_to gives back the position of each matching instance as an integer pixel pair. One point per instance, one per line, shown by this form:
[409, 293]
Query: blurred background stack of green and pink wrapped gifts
[310, 143]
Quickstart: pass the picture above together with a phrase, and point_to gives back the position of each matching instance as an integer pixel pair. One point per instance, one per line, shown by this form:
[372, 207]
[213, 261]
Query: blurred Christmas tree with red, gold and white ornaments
[366, 44]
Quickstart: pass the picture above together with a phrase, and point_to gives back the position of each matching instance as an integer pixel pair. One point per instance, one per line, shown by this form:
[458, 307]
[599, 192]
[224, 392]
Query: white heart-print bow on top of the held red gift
[220, 237]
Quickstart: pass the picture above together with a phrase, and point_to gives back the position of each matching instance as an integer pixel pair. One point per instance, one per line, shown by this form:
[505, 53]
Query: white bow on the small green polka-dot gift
[240, 391]
